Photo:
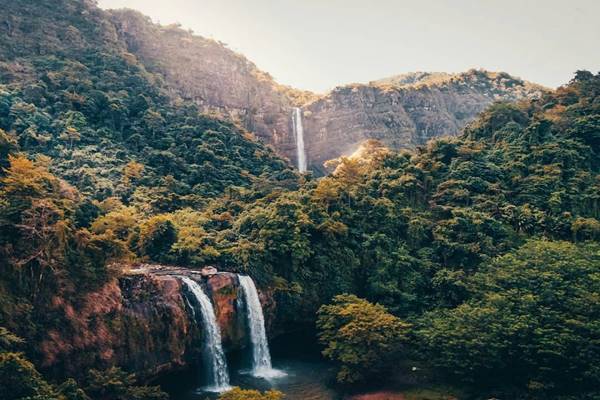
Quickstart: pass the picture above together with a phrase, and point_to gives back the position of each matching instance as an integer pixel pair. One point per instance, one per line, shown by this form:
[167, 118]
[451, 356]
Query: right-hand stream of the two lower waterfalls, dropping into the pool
[261, 358]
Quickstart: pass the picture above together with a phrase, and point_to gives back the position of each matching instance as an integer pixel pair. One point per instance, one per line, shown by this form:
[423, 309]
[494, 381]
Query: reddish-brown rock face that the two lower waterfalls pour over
[141, 322]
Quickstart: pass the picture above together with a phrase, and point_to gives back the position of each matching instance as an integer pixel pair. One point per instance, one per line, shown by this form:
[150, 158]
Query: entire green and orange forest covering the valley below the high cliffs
[480, 251]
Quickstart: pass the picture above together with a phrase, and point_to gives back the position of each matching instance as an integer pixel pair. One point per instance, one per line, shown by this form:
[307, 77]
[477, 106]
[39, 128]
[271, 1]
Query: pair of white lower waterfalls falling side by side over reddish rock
[215, 361]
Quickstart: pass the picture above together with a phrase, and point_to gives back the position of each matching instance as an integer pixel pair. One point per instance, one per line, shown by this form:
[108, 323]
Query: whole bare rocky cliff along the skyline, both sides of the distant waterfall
[402, 111]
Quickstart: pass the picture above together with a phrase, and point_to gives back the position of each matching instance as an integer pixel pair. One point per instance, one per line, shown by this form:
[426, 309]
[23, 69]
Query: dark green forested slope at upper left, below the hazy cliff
[72, 92]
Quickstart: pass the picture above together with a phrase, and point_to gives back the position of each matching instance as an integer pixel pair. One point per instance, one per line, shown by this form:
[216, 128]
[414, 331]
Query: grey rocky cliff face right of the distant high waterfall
[405, 111]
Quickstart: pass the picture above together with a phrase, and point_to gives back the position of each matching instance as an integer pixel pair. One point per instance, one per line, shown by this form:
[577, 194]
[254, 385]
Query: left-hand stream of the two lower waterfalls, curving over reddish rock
[216, 363]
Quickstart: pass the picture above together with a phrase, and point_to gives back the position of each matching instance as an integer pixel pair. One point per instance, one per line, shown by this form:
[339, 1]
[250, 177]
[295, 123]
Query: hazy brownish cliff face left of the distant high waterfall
[218, 80]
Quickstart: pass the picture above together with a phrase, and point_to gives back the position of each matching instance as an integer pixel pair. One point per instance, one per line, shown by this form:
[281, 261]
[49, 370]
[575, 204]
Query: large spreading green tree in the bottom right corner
[532, 320]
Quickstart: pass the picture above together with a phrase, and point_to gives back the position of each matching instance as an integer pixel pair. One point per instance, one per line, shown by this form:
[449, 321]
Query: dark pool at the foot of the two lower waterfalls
[307, 375]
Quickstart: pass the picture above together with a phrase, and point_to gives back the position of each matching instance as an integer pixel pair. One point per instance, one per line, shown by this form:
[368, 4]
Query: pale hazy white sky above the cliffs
[319, 44]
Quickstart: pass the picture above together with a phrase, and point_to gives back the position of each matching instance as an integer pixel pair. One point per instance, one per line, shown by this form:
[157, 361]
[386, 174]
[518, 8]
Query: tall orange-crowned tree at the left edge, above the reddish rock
[33, 217]
